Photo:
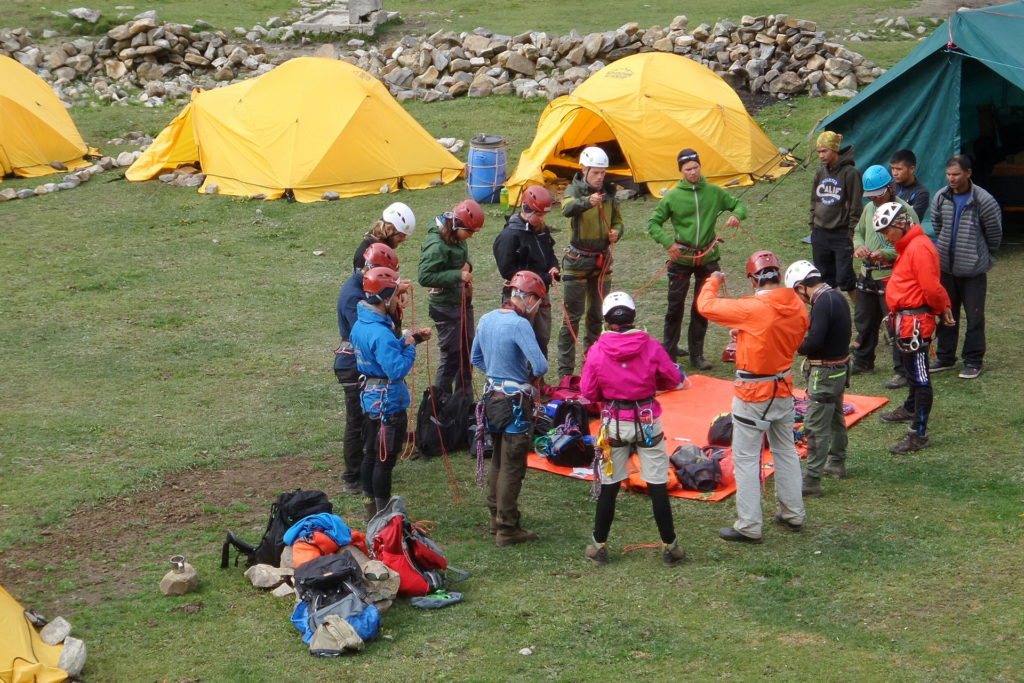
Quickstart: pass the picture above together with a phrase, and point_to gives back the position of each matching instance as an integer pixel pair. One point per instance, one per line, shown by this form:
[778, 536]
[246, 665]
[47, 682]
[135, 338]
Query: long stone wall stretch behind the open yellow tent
[774, 55]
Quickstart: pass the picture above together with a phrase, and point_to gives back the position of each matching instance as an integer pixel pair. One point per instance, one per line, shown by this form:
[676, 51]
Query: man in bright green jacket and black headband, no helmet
[694, 207]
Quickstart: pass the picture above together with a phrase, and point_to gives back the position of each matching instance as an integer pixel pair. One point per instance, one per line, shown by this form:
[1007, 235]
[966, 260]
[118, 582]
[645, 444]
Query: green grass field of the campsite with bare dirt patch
[167, 369]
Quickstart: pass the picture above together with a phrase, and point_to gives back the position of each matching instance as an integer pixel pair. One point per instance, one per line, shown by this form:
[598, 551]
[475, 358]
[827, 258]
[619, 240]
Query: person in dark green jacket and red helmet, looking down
[445, 268]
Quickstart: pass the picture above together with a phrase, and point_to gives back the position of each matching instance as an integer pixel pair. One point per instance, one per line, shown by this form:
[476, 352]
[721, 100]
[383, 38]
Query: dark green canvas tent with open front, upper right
[961, 91]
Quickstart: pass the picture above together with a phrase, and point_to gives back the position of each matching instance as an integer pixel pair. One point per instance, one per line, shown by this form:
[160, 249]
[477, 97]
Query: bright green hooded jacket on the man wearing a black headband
[694, 209]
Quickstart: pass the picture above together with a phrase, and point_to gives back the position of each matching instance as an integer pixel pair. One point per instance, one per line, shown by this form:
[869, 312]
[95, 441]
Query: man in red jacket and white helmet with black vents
[915, 296]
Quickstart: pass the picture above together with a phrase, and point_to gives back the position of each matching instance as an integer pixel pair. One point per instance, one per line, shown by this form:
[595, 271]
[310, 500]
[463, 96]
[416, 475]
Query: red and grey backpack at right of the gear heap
[406, 549]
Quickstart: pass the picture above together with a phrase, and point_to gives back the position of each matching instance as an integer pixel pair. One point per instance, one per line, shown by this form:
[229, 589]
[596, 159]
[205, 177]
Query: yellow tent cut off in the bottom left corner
[24, 657]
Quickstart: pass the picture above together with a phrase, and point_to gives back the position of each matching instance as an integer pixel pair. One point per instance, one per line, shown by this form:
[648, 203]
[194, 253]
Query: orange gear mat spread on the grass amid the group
[688, 414]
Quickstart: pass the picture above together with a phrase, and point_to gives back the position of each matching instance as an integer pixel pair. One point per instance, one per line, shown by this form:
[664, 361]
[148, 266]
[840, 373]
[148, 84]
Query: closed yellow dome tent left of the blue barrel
[310, 126]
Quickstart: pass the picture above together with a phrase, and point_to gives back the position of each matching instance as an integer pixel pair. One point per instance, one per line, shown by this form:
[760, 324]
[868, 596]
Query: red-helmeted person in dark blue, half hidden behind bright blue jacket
[377, 254]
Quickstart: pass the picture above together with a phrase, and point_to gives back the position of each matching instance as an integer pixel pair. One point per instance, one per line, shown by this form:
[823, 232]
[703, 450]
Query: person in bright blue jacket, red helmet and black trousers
[385, 361]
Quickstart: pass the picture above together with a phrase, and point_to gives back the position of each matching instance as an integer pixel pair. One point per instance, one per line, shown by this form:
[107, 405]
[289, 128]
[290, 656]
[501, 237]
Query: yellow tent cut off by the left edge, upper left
[35, 127]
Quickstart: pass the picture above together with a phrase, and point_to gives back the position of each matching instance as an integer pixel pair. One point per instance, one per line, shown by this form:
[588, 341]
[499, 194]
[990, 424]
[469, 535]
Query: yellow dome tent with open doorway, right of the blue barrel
[644, 110]
